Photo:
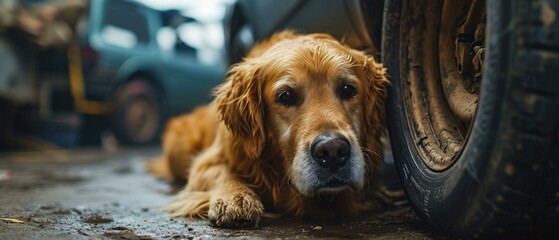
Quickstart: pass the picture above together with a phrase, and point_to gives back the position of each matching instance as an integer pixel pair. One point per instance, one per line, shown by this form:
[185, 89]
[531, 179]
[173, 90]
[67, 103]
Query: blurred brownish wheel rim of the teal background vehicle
[141, 120]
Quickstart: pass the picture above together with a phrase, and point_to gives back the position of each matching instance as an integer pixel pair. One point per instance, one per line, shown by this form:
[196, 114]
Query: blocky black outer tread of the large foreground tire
[530, 194]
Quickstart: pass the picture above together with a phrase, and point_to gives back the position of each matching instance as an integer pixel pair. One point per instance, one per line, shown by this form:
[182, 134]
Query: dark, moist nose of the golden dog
[331, 151]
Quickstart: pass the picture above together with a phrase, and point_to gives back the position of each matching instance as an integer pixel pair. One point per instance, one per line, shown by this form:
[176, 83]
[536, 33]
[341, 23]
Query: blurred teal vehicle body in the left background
[122, 37]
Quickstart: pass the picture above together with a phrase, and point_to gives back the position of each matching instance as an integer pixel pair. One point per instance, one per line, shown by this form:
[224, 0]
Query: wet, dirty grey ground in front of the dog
[91, 194]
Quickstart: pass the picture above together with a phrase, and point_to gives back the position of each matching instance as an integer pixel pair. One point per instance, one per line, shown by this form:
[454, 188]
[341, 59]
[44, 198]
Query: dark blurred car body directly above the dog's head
[355, 22]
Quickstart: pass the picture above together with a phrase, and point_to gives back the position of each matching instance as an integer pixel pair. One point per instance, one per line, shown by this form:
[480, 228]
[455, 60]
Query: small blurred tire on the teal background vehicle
[138, 114]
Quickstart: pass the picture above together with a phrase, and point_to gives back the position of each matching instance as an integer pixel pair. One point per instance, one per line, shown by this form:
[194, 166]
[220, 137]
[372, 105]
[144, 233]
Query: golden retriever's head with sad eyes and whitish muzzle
[318, 102]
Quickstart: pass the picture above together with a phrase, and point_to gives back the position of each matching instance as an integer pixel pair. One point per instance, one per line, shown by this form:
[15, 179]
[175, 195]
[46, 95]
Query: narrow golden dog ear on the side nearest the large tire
[376, 84]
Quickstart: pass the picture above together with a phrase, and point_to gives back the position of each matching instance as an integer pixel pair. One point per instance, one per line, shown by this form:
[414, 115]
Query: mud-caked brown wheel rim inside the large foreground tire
[442, 79]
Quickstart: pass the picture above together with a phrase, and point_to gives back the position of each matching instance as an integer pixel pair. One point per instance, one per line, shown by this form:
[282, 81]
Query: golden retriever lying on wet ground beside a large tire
[295, 129]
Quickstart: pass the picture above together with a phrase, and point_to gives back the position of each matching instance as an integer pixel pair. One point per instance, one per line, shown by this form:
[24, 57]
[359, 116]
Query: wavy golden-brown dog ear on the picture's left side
[240, 105]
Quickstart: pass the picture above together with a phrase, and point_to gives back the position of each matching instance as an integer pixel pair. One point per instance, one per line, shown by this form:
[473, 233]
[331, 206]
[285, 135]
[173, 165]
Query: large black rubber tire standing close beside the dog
[504, 178]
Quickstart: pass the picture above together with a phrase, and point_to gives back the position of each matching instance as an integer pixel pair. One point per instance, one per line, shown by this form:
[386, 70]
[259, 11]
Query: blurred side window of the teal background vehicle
[124, 24]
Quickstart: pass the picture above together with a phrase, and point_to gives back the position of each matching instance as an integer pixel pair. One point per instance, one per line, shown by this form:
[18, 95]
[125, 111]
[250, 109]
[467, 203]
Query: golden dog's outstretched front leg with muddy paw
[230, 203]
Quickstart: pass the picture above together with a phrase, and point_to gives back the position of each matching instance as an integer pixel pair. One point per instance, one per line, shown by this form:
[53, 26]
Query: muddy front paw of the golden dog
[236, 210]
